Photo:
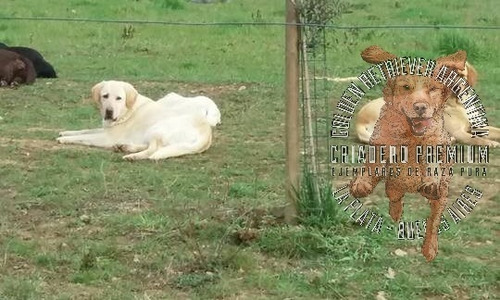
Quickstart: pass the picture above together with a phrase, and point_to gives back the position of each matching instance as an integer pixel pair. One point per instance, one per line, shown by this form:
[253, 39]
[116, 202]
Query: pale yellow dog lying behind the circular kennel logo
[455, 117]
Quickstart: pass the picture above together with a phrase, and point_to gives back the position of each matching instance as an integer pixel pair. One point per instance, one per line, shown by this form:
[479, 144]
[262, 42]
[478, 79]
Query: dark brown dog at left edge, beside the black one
[15, 69]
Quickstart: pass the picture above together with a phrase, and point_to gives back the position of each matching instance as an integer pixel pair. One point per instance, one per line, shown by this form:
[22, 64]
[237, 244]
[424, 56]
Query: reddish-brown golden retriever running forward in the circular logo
[413, 115]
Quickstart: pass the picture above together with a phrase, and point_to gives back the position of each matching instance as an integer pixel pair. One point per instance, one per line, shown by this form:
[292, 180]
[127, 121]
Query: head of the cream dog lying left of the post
[114, 99]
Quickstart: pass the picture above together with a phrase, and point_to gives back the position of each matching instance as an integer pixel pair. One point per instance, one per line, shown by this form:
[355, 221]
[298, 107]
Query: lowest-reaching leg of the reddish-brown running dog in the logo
[430, 246]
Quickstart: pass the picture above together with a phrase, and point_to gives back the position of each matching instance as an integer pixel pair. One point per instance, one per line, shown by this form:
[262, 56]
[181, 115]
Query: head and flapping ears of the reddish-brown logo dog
[420, 99]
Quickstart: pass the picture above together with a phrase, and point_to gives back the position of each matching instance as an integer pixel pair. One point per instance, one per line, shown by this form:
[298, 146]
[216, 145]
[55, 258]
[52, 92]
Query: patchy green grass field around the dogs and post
[80, 223]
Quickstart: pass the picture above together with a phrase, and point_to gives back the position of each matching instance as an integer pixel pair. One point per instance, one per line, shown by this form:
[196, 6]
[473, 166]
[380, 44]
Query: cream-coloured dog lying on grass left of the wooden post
[147, 129]
